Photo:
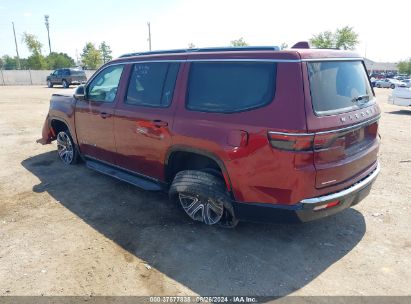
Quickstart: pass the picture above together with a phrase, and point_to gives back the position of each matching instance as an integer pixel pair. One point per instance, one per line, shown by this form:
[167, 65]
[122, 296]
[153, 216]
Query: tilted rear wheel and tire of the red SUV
[203, 197]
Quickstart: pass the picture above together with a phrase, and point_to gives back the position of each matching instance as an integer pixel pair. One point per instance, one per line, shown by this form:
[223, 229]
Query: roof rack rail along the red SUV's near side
[210, 49]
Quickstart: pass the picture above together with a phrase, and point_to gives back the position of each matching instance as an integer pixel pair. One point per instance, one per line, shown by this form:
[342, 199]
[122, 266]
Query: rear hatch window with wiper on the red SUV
[338, 86]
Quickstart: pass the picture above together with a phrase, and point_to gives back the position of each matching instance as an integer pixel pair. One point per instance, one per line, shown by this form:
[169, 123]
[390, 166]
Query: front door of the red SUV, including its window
[94, 115]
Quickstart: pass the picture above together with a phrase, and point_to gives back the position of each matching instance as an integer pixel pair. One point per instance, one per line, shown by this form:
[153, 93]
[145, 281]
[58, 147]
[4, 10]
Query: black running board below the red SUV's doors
[124, 176]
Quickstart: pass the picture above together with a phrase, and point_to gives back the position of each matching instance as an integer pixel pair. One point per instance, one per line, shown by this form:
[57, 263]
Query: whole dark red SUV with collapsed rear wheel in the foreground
[231, 134]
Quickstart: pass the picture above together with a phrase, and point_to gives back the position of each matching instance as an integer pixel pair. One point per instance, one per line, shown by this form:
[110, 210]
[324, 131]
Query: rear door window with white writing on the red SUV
[152, 84]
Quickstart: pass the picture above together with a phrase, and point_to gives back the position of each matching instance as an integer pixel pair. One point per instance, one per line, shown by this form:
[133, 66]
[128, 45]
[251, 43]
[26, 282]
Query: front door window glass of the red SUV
[104, 86]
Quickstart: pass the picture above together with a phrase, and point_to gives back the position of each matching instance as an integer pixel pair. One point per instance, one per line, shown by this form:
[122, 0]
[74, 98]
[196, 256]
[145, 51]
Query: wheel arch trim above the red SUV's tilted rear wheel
[173, 151]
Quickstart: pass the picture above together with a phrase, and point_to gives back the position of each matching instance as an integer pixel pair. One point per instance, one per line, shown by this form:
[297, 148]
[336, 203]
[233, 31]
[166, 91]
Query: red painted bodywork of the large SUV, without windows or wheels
[139, 138]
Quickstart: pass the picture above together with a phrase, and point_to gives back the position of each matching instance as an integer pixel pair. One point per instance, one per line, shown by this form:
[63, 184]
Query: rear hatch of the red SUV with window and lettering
[343, 116]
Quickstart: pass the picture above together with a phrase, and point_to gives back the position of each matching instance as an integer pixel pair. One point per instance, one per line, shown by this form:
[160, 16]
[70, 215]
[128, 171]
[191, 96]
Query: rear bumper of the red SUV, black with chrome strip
[305, 210]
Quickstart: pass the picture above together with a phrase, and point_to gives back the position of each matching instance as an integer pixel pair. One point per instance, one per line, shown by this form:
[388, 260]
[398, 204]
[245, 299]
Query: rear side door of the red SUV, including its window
[144, 119]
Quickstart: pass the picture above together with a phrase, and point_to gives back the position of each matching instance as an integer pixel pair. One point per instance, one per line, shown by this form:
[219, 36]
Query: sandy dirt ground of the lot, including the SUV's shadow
[72, 231]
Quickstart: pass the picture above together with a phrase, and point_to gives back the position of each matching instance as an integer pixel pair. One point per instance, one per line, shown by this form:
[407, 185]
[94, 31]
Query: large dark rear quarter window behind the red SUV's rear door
[230, 86]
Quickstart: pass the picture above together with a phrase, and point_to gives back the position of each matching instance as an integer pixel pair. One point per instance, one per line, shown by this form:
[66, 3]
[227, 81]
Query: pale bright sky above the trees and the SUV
[384, 29]
